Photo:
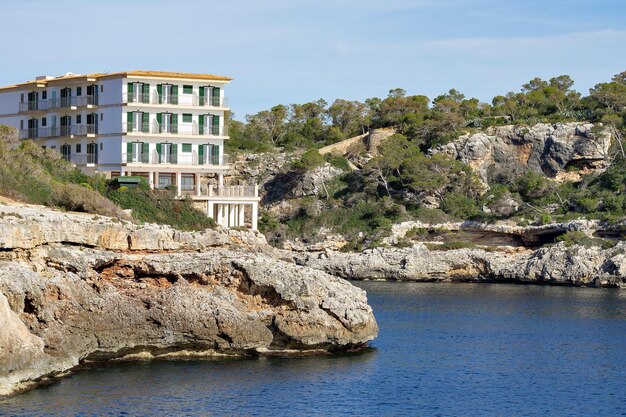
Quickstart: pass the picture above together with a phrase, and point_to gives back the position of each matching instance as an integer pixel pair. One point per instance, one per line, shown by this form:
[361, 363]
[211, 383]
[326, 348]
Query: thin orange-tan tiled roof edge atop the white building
[126, 74]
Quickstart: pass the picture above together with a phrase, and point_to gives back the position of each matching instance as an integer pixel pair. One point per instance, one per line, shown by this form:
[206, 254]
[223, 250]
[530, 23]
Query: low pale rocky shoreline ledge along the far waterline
[558, 264]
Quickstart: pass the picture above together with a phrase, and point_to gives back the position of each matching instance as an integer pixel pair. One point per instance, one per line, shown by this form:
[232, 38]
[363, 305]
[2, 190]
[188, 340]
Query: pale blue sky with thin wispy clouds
[282, 51]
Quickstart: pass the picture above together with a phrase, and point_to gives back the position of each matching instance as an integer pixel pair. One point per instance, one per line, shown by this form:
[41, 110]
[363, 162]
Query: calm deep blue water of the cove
[443, 349]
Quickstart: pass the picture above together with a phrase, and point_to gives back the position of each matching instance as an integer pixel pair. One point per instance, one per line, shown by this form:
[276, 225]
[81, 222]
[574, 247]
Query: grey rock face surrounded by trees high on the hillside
[501, 153]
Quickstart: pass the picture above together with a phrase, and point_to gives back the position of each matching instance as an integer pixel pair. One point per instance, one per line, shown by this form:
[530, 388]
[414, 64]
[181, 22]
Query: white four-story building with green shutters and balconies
[165, 126]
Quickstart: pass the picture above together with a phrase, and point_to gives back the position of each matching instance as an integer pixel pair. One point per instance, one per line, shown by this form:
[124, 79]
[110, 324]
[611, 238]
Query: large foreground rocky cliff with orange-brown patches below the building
[75, 288]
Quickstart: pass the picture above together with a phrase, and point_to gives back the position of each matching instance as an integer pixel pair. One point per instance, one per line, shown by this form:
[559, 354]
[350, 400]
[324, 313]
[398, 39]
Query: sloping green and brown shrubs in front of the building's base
[35, 175]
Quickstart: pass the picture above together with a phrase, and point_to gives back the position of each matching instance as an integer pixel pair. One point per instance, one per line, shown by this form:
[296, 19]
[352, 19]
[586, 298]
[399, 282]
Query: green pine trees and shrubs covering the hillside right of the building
[405, 179]
